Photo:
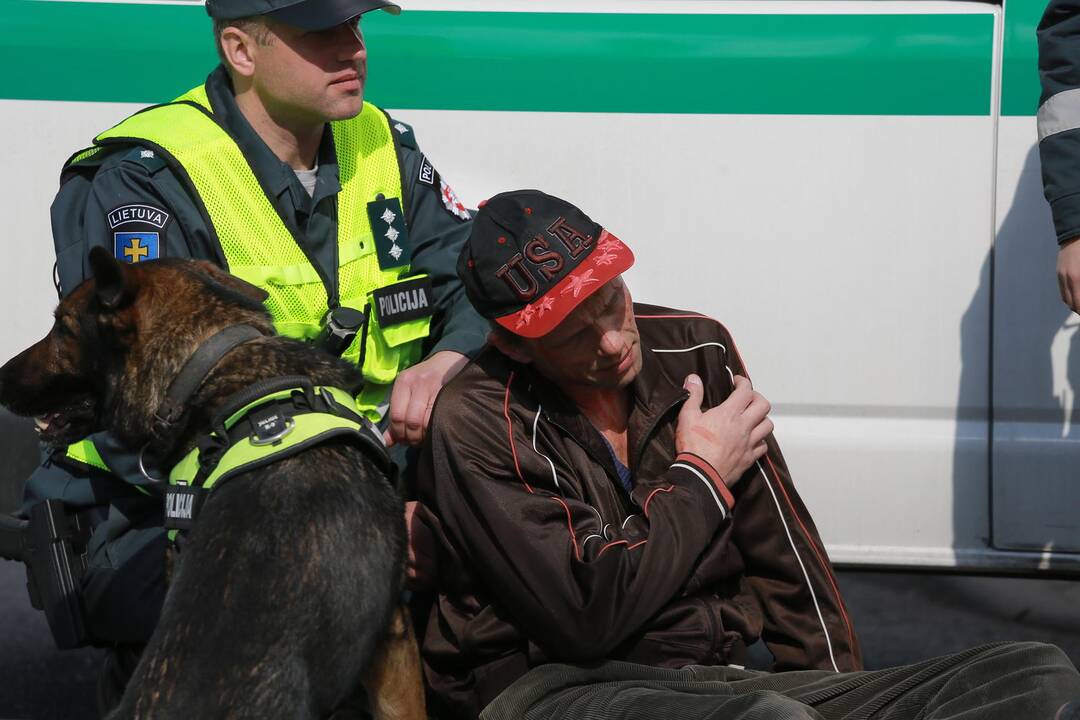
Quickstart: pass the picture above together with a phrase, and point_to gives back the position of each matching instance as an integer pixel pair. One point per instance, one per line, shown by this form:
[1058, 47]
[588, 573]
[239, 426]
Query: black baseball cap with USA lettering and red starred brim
[533, 259]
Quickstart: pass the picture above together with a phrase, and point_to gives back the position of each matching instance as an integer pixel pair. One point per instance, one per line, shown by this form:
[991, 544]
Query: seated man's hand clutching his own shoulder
[731, 437]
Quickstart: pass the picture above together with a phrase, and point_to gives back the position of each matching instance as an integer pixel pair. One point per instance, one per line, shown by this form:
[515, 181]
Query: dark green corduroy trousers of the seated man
[1002, 682]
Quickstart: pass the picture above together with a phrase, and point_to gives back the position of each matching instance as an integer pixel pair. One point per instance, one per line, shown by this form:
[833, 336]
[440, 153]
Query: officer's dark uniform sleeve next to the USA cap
[438, 237]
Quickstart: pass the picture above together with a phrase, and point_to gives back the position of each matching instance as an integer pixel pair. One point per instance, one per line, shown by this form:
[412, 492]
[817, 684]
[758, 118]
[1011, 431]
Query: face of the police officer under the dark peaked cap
[312, 77]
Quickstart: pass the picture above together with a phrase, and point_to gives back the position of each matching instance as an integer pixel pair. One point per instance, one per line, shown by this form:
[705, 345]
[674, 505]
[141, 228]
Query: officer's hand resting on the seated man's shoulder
[414, 396]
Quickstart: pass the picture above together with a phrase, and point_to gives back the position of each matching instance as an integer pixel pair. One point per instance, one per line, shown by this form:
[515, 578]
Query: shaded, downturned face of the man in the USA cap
[598, 346]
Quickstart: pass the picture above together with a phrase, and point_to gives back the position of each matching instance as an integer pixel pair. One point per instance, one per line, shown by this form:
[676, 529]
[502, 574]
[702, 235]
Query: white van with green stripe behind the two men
[852, 186]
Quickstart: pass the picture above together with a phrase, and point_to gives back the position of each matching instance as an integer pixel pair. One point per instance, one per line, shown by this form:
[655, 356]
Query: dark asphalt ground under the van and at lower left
[901, 618]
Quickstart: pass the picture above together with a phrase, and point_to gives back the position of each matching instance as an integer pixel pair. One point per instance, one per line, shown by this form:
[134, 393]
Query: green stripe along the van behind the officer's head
[916, 65]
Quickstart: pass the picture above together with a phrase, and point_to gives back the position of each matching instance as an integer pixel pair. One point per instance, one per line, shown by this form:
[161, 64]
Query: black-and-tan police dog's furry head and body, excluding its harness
[287, 599]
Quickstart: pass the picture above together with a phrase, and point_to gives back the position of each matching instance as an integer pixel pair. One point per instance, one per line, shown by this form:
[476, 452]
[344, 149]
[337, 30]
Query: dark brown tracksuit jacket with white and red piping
[545, 558]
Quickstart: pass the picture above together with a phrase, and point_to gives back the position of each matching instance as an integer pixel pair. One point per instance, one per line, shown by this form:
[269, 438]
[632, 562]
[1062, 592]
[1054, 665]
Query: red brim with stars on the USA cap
[610, 260]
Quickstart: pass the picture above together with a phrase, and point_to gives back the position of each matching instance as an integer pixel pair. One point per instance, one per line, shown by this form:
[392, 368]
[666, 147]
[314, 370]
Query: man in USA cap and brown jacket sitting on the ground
[605, 486]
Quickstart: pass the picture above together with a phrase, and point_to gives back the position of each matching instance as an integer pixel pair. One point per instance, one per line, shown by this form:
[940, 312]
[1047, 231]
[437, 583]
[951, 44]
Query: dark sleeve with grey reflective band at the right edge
[1060, 114]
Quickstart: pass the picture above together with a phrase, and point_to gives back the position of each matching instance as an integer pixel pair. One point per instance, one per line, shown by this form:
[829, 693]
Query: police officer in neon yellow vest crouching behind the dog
[277, 170]
